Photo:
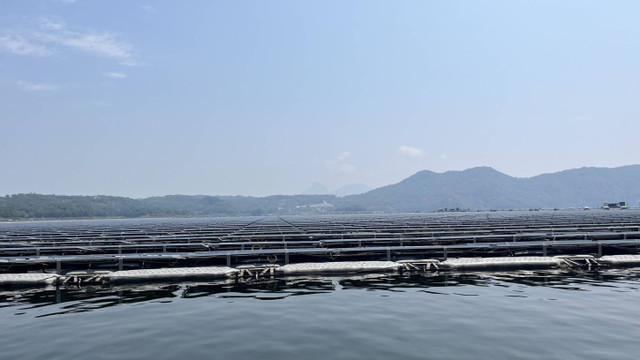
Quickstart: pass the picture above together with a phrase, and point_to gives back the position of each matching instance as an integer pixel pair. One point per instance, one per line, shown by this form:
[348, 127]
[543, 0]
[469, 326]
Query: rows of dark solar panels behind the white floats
[147, 243]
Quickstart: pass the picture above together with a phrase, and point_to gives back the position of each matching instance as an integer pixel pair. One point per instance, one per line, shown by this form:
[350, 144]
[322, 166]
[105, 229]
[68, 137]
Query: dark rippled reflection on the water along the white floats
[73, 299]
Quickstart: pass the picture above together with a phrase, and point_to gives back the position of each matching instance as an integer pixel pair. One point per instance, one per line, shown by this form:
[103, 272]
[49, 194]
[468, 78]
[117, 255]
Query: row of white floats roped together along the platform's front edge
[212, 273]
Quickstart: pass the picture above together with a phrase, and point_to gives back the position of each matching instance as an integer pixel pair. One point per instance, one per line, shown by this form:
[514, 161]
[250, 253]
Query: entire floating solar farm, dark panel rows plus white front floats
[155, 249]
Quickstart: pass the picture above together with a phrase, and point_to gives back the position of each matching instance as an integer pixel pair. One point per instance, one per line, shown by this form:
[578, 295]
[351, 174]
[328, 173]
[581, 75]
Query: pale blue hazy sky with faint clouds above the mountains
[147, 98]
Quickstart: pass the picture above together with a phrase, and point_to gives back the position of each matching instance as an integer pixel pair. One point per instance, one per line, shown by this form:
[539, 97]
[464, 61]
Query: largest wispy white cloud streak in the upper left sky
[103, 44]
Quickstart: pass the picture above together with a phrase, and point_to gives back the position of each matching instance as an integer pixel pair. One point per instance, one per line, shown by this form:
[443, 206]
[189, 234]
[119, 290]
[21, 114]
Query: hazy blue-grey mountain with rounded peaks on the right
[486, 188]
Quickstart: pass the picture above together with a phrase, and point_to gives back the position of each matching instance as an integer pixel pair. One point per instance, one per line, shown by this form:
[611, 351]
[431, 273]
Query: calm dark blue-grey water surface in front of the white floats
[522, 315]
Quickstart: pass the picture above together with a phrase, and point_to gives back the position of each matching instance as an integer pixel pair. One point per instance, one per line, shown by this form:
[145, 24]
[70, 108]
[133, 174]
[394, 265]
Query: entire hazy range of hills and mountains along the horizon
[479, 188]
